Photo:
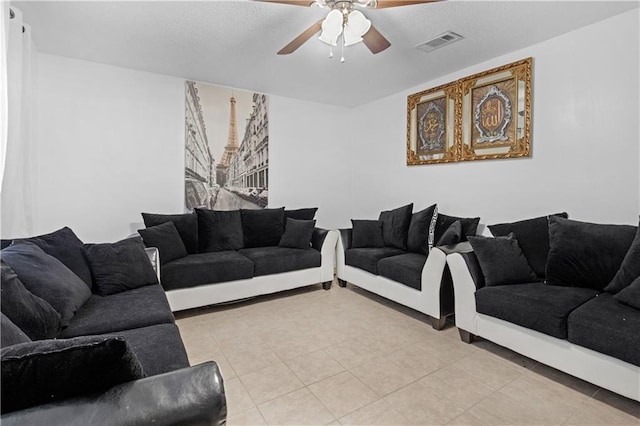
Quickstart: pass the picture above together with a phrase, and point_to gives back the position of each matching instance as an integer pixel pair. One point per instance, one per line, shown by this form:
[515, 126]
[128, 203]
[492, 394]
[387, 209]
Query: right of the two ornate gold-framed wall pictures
[495, 113]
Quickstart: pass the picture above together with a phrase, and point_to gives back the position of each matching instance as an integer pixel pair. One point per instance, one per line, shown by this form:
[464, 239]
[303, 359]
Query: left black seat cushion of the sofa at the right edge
[536, 306]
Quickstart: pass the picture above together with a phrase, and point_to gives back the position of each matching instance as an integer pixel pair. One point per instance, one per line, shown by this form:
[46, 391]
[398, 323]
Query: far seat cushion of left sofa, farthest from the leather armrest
[136, 308]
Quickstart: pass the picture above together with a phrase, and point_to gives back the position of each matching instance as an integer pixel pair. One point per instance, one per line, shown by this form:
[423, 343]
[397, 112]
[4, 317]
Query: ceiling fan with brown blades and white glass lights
[344, 20]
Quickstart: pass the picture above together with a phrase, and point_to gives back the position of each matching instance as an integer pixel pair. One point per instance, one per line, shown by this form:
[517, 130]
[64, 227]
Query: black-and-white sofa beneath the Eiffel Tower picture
[211, 256]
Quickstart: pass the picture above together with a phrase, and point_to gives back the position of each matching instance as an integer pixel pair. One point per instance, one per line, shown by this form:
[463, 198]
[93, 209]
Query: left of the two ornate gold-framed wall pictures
[431, 126]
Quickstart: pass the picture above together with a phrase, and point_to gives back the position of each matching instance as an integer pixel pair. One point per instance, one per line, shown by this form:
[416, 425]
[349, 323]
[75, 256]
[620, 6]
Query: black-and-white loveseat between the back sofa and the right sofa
[393, 257]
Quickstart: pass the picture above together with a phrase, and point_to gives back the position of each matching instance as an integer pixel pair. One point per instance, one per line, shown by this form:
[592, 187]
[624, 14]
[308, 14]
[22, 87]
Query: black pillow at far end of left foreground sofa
[120, 266]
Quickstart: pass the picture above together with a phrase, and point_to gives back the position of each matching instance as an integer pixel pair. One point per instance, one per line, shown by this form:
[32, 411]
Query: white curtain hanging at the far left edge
[17, 150]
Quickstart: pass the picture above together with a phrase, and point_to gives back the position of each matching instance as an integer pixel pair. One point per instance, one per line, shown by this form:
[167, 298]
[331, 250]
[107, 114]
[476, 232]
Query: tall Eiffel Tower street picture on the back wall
[226, 148]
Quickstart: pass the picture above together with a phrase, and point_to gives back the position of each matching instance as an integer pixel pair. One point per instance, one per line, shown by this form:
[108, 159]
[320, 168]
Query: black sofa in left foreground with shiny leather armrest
[88, 337]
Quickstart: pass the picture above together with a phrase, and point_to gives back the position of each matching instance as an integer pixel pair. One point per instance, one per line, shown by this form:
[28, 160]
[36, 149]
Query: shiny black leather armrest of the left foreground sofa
[193, 395]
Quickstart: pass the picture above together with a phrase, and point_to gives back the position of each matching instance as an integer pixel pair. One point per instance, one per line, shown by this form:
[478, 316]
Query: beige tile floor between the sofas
[346, 356]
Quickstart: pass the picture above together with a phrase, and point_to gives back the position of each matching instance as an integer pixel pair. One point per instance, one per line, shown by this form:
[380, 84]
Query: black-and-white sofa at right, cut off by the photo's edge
[563, 292]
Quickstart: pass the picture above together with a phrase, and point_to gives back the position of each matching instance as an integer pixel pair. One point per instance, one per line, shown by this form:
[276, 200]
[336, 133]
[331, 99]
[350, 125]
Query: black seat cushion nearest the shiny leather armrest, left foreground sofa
[158, 348]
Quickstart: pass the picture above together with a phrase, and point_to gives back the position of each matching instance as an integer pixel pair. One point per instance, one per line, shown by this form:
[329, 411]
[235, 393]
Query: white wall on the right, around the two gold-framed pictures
[585, 140]
